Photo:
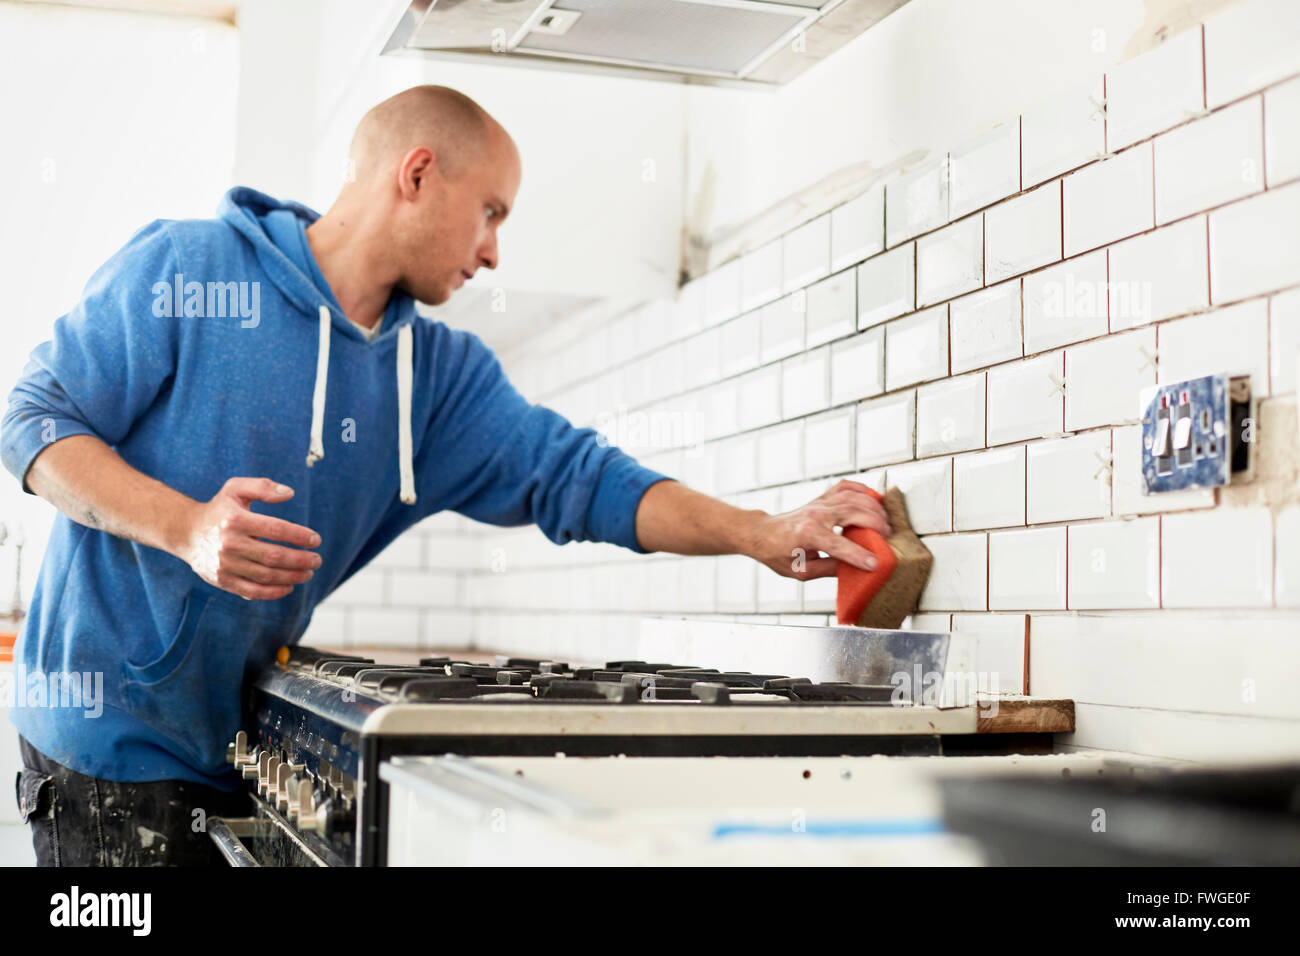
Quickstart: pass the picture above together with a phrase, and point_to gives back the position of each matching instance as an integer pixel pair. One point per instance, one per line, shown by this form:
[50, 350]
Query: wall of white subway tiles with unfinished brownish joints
[976, 332]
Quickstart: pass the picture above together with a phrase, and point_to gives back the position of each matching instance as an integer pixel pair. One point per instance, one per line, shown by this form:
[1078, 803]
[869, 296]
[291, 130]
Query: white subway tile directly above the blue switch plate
[1233, 340]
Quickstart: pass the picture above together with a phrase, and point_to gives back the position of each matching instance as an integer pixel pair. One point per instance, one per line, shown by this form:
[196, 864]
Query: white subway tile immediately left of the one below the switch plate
[1115, 565]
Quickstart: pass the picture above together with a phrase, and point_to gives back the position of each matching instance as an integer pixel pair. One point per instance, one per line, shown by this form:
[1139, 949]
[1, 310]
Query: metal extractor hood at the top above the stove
[712, 42]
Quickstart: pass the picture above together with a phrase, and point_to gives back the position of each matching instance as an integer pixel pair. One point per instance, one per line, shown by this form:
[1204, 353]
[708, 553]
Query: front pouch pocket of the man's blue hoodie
[193, 693]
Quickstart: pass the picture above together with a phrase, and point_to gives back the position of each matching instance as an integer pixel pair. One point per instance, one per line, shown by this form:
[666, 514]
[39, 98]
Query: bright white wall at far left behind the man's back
[112, 120]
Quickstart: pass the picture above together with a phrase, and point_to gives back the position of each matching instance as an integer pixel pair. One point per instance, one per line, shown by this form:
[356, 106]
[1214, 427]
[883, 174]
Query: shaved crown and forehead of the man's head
[454, 127]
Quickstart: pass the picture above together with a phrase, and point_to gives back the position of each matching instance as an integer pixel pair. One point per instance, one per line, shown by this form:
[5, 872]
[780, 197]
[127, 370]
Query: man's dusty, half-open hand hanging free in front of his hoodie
[227, 547]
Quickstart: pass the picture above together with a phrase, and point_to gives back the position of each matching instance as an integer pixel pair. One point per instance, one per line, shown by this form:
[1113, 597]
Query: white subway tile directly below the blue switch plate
[1221, 559]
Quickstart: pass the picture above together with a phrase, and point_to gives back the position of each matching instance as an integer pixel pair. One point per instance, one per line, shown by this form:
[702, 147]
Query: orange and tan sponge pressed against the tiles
[886, 596]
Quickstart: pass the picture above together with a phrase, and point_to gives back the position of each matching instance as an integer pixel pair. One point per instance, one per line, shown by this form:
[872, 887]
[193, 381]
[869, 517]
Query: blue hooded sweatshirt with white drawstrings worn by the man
[213, 349]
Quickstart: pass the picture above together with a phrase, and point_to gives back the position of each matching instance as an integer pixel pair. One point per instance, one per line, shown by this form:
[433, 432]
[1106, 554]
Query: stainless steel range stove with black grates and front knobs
[320, 725]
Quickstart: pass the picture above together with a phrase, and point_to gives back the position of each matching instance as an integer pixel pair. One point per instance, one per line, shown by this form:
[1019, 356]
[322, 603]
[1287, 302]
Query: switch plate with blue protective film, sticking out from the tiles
[1197, 434]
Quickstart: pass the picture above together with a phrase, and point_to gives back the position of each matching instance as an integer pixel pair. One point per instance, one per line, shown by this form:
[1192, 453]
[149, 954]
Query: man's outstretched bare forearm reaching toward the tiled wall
[679, 520]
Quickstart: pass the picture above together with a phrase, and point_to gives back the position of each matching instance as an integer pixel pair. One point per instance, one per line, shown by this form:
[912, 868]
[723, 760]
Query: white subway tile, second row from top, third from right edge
[1110, 201]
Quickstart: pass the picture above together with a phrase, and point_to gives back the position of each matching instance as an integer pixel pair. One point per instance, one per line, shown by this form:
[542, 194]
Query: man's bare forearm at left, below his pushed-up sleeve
[90, 483]
